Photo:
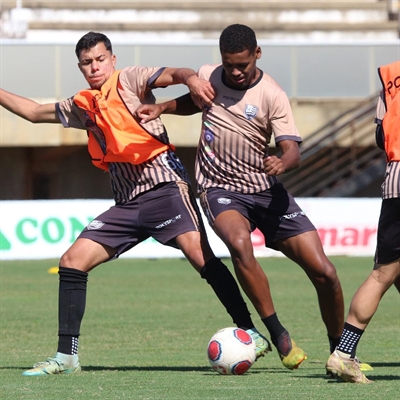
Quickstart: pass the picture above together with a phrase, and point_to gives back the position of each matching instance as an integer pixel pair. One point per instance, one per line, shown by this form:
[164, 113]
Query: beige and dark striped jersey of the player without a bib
[236, 133]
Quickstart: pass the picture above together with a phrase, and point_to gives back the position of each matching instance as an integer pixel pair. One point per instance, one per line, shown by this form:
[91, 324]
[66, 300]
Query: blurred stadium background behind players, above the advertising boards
[324, 54]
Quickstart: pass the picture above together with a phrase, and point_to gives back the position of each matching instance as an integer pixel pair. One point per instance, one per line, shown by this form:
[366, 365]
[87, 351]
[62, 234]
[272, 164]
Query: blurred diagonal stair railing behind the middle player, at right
[339, 158]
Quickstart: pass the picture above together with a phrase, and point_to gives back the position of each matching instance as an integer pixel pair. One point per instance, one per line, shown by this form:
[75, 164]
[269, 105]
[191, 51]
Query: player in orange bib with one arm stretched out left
[149, 183]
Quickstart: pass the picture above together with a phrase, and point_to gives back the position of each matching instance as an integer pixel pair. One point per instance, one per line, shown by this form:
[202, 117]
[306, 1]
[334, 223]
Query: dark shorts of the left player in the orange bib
[166, 211]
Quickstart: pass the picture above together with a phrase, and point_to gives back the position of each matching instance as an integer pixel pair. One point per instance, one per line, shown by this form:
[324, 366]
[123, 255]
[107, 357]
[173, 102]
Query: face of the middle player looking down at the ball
[240, 68]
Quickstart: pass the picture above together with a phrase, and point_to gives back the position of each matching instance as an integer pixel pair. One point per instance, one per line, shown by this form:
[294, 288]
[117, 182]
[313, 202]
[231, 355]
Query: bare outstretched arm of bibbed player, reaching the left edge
[28, 109]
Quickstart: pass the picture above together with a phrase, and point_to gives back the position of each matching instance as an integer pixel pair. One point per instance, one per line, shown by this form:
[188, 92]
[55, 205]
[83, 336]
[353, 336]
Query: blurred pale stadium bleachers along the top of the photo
[202, 19]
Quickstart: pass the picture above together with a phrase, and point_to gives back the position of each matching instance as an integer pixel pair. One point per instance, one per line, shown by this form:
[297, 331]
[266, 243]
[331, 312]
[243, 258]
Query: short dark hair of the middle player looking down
[237, 38]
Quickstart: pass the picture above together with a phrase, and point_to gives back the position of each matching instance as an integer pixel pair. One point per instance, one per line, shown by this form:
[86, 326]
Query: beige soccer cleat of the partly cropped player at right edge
[347, 368]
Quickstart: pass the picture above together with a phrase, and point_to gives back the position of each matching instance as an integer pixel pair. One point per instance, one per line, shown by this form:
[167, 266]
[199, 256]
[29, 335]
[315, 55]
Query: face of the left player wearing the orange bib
[97, 65]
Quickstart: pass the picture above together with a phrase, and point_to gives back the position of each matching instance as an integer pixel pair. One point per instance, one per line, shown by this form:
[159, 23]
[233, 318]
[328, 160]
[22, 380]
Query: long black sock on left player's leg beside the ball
[225, 287]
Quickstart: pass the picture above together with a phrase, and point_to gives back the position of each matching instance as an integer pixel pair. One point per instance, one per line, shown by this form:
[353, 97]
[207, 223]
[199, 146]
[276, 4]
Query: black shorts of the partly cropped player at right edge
[388, 239]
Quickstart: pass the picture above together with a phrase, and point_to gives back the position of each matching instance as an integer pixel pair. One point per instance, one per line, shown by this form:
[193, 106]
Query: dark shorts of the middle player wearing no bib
[274, 212]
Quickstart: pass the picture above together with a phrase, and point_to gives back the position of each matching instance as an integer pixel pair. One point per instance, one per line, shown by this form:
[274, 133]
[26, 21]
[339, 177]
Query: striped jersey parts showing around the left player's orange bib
[128, 180]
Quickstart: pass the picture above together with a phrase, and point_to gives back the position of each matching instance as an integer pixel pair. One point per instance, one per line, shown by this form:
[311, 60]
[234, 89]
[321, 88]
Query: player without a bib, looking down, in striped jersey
[239, 188]
